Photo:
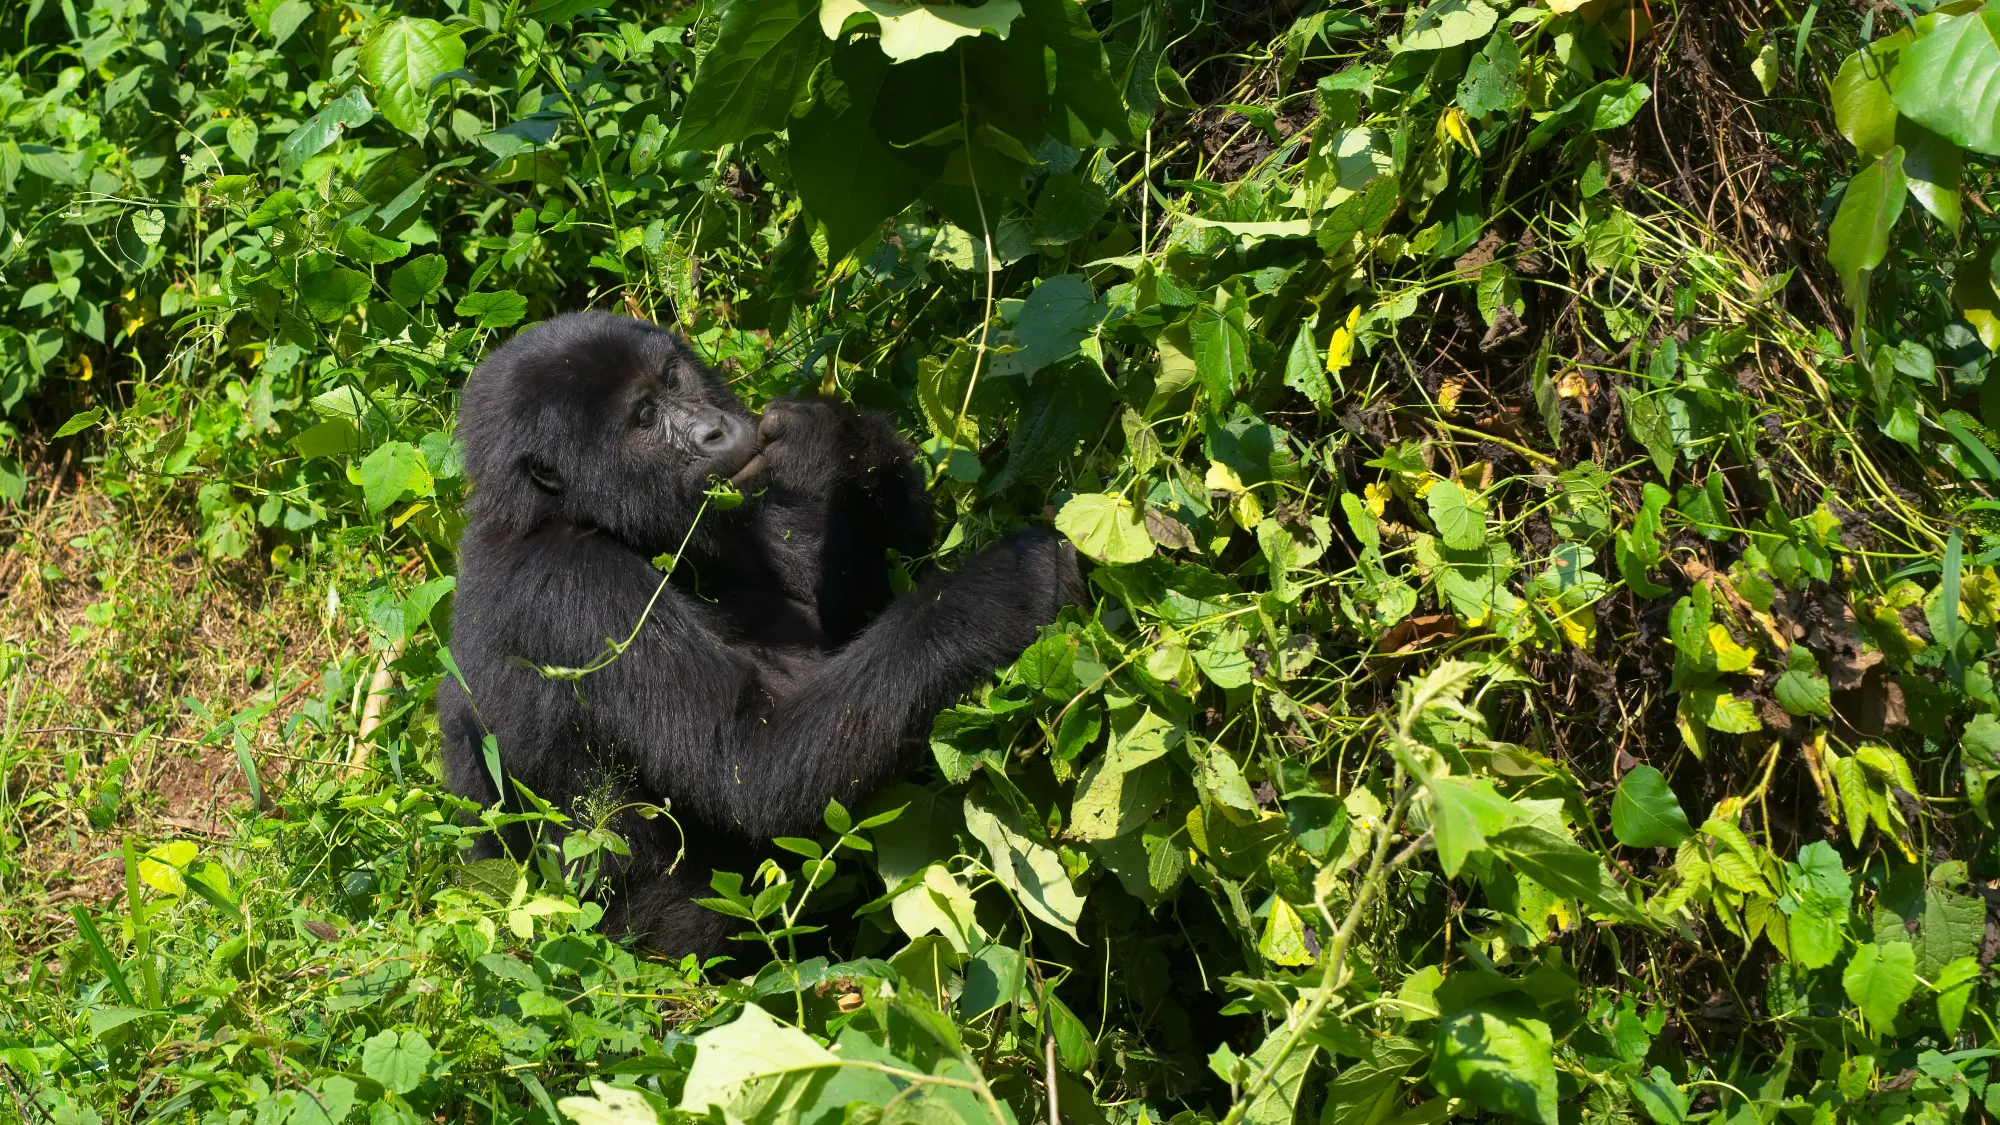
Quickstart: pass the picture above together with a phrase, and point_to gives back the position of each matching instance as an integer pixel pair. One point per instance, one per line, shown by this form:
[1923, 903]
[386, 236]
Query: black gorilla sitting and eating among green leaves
[773, 674]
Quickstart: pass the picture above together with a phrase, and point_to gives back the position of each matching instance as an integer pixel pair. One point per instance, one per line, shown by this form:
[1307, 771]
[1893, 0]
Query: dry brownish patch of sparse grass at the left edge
[111, 620]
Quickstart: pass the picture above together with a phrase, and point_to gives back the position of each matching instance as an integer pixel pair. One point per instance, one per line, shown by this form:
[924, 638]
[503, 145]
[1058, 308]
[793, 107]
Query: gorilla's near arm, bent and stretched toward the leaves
[757, 750]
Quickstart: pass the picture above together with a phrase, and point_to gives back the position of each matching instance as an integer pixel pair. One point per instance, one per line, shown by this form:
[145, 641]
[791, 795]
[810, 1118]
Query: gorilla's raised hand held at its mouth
[819, 447]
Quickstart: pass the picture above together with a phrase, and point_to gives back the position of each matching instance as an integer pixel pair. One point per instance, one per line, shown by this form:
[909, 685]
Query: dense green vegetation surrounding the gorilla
[1537, 461]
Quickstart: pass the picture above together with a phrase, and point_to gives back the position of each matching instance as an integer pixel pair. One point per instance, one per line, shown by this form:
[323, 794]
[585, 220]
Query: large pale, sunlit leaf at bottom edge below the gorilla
[753, 1064]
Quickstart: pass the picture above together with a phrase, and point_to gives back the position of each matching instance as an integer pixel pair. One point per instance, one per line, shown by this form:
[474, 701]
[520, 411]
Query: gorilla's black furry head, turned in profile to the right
[599, 421]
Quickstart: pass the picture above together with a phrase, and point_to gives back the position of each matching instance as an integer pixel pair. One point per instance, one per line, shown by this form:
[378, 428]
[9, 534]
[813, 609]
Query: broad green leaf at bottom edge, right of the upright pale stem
[1497, 1054]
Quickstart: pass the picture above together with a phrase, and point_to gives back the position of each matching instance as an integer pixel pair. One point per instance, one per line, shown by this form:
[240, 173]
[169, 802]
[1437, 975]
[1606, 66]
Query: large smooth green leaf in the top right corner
[1951, 81]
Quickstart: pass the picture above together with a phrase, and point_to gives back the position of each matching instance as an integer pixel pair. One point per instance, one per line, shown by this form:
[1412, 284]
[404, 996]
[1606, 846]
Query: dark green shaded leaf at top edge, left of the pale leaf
[755, 75]
